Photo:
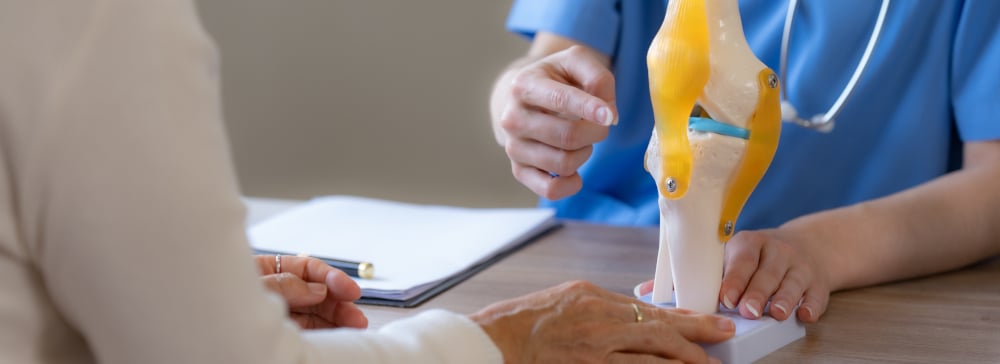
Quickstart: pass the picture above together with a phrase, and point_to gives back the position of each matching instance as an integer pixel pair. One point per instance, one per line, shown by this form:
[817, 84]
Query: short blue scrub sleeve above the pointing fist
[591, 22]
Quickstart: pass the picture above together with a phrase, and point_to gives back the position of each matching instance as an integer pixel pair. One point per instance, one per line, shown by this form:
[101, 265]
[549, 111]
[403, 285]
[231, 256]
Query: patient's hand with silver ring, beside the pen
[318, 296]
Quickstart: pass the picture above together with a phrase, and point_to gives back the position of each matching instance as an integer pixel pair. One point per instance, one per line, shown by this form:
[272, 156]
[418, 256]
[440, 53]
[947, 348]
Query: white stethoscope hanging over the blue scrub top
[824, 122]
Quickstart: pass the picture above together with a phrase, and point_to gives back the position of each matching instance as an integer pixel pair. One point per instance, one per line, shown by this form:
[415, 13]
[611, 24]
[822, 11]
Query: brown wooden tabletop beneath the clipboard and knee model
[947, 318]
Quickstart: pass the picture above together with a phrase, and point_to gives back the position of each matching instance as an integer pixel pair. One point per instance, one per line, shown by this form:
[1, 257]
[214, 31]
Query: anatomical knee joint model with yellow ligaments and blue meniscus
[705, 166]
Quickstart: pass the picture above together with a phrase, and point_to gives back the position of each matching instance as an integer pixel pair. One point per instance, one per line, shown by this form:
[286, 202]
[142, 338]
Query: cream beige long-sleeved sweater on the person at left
[121, 227]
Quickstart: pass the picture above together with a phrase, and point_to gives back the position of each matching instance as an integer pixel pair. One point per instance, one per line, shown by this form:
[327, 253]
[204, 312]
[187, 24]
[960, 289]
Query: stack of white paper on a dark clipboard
[417, 250]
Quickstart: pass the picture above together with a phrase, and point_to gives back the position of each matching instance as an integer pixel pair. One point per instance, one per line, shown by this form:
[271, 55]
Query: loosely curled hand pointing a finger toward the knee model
[547, 114]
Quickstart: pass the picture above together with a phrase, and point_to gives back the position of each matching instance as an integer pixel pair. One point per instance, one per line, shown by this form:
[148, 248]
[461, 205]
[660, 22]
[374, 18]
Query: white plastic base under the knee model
[754, 339]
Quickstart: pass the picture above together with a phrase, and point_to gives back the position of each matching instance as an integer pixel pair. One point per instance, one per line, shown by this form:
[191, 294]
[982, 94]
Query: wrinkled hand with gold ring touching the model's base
[580, 323]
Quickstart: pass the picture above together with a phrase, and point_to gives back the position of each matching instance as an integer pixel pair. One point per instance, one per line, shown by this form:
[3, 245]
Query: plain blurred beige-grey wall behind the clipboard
[376, 98]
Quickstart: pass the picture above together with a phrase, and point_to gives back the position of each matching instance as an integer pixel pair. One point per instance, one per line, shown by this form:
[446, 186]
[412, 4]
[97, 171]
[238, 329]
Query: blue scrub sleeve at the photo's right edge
[975, 74]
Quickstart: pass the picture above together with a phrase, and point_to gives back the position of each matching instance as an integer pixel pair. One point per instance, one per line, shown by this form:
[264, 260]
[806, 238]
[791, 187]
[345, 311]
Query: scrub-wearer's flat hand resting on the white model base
[770, 265]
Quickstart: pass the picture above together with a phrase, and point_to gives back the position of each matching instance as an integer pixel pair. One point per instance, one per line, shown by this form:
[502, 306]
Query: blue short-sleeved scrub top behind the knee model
[932, 83]
